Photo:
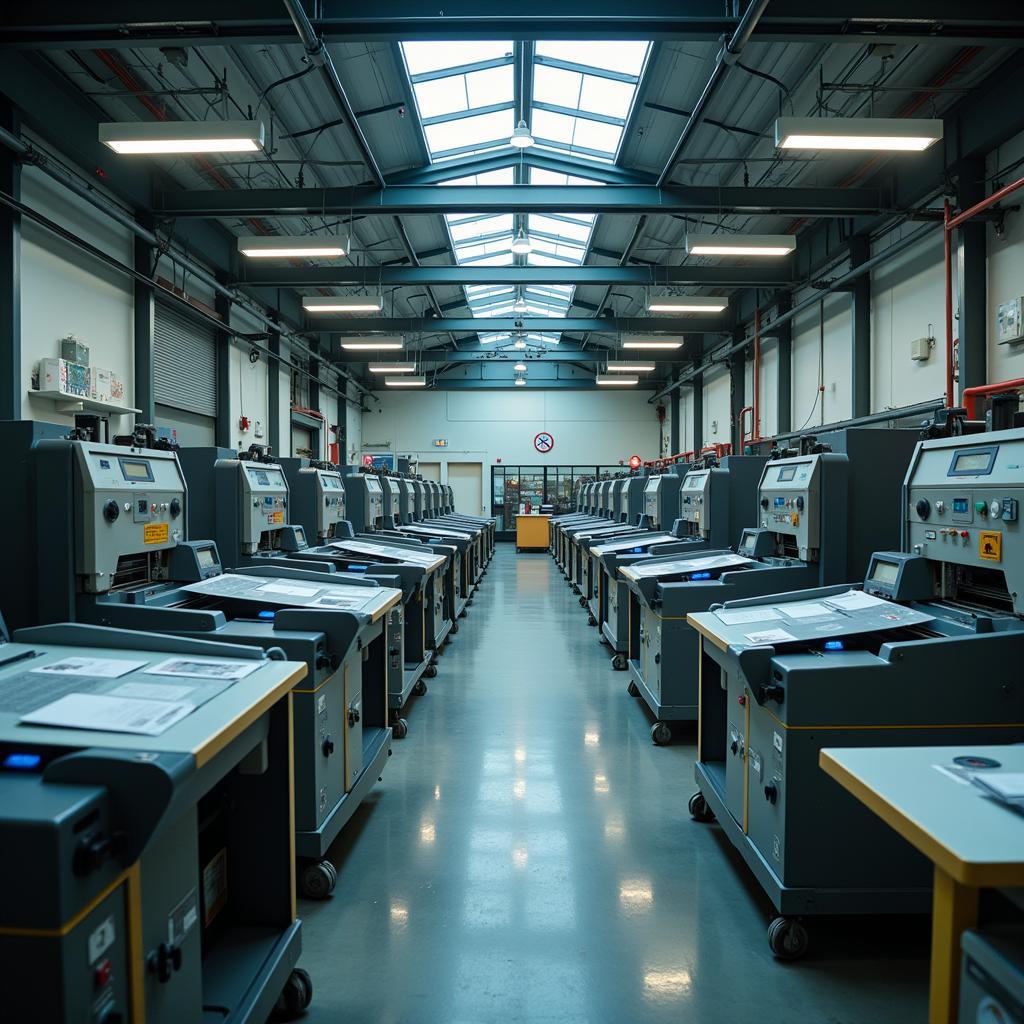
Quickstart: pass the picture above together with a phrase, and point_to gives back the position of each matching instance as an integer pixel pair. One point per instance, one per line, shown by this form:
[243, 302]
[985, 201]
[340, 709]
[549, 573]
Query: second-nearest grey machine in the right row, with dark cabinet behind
[824, 508]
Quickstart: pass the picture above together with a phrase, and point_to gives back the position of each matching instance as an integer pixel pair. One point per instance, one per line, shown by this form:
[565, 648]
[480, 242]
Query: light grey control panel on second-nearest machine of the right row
[789, 503]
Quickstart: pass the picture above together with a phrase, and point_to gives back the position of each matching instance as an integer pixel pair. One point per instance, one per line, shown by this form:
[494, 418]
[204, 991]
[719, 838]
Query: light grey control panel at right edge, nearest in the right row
[963, 498]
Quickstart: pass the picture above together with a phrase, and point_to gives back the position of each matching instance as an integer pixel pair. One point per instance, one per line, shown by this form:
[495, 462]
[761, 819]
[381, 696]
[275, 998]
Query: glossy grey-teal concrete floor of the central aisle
[529, 859]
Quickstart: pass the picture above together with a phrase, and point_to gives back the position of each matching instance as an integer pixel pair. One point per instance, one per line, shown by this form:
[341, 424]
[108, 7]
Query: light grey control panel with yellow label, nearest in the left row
[127, 502]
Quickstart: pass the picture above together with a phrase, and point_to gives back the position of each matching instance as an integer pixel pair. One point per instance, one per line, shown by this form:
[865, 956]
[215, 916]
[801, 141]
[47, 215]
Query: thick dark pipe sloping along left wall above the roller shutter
[32, 156]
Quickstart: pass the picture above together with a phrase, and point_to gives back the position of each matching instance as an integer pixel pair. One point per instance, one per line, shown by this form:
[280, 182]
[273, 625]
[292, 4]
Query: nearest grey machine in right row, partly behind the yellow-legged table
[927, 653]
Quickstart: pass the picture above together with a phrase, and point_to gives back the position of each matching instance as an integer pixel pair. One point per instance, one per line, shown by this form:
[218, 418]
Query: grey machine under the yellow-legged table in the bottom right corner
[993, 976]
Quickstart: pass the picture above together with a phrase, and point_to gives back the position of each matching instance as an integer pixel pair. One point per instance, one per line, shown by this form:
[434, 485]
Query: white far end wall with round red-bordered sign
[589, 428]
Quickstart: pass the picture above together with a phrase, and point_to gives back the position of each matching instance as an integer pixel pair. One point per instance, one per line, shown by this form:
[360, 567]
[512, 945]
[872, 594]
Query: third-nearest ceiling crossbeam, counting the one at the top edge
[419, 277]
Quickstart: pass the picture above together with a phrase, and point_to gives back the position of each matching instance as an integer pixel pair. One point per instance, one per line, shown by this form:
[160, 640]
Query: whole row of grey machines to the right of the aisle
[864, 588]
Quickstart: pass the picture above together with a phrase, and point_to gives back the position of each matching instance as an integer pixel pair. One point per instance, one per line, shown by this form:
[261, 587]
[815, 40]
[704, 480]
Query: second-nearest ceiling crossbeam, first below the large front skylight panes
[798, 201]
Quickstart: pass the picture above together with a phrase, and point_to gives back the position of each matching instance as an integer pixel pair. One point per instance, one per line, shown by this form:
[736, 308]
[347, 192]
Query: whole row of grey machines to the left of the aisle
[211, 654]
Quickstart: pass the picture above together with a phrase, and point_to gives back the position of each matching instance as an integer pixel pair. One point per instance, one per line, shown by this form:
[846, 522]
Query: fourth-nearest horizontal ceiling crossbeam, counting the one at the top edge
[535, 325]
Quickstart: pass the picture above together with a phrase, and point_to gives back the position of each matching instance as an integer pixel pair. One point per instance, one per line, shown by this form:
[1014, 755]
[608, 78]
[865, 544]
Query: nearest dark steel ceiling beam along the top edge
[71, 24]
